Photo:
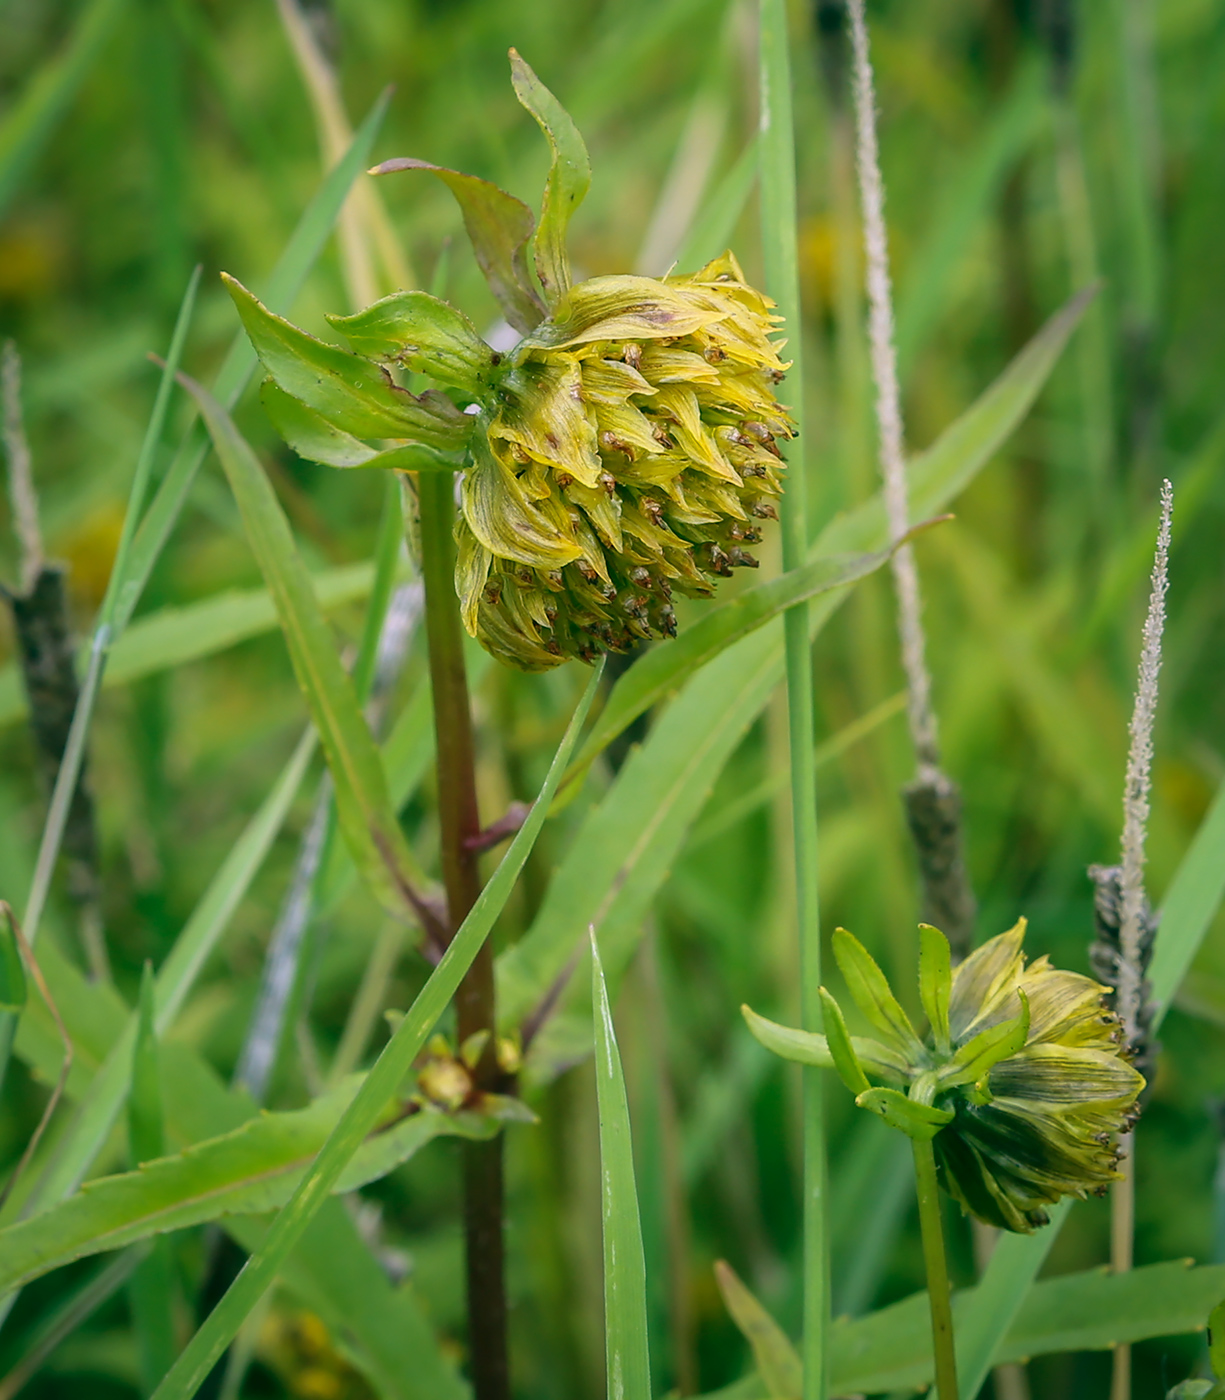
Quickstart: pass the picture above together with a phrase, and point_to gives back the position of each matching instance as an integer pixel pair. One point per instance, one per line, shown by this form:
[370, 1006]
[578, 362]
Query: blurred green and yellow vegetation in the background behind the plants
[1030, 148]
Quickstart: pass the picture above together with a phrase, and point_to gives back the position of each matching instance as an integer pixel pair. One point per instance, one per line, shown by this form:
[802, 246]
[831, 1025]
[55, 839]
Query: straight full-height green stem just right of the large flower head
[780, 254]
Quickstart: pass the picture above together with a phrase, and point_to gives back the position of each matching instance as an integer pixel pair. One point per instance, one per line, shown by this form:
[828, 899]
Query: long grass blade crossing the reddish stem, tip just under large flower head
[220, 1328]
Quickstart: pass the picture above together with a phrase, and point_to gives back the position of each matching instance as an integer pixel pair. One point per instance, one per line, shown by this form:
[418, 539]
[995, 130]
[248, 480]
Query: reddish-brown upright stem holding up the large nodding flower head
[460, 822]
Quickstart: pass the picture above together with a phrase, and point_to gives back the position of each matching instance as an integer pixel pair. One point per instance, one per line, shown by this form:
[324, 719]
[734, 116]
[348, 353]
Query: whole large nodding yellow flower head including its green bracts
[624, 453]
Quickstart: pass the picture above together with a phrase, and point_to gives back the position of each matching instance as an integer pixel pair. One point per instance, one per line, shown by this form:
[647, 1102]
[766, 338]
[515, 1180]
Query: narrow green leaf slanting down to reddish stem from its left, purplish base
[363, 807]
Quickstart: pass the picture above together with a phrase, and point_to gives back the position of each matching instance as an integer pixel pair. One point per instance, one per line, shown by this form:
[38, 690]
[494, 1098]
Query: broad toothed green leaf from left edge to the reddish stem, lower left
[250, 1171]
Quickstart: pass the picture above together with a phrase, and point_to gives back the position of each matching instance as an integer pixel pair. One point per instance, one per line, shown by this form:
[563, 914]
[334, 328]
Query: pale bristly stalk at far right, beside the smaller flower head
[1129, 995]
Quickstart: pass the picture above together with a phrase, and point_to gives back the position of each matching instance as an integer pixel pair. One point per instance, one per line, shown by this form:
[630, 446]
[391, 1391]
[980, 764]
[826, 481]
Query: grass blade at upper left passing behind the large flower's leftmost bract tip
[303, 250]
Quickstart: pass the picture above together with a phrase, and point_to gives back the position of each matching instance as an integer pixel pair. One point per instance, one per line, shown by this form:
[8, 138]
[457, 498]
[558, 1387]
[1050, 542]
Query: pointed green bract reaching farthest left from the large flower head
[348, 391]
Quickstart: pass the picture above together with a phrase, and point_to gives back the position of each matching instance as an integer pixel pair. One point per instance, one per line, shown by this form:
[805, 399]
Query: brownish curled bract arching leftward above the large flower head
[499, 227]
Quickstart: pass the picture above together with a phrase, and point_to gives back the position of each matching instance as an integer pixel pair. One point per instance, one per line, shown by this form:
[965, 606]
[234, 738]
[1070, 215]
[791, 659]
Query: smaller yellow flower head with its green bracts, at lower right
[1021, 1083]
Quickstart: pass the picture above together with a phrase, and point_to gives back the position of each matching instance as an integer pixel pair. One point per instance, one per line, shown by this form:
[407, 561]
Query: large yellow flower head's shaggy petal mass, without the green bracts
[631, 454]
